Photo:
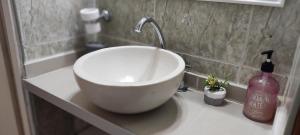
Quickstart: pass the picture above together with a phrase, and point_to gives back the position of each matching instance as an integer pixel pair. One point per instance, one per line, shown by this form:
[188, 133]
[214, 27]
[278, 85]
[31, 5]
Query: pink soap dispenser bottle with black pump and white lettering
[261, 99]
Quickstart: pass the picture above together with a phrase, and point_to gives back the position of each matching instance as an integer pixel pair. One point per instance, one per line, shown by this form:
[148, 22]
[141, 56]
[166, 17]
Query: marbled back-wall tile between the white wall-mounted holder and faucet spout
[125, 15]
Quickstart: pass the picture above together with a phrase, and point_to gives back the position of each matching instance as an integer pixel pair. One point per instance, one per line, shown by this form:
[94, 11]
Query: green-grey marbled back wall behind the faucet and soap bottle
[219, 38]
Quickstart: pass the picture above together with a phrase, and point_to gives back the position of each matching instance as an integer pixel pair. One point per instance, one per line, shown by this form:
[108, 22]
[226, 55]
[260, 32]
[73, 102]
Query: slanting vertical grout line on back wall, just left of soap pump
[244, 56]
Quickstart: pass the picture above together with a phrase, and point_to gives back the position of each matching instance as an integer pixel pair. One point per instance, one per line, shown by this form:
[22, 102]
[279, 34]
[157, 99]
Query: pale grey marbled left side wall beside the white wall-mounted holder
[48, 27]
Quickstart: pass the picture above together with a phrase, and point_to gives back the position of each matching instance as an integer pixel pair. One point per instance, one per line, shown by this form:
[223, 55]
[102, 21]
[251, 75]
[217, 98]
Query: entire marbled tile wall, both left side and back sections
[219, 38]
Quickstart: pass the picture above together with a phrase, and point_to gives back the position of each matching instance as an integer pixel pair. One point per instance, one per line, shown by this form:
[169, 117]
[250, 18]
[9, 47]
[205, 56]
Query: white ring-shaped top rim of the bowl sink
[77, 68]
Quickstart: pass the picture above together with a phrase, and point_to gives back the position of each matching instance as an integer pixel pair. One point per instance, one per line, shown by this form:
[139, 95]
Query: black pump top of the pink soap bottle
[267, 66]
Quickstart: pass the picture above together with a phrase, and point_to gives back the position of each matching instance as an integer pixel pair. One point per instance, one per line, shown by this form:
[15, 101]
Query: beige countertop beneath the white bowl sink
[185, 114]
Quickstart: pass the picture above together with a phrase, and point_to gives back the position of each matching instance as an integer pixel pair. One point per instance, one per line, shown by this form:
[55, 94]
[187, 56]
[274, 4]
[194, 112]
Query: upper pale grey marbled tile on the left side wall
[44, 21]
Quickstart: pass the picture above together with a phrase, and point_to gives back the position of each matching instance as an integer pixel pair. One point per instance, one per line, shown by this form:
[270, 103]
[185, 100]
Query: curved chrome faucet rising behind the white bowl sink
[144, 20]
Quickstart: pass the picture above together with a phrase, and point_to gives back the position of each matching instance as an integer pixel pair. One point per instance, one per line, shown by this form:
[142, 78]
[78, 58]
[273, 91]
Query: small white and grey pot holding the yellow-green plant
[215, 98]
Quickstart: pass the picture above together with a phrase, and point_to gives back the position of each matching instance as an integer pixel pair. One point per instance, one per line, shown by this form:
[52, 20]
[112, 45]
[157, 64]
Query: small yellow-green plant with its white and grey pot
[215, 91]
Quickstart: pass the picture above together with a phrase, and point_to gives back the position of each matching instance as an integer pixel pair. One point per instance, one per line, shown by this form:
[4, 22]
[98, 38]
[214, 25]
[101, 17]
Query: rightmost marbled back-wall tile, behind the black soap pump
[274, 28]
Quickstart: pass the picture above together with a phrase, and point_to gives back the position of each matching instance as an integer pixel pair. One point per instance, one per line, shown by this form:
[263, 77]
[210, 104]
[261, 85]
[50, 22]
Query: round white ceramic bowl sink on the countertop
[129, 79]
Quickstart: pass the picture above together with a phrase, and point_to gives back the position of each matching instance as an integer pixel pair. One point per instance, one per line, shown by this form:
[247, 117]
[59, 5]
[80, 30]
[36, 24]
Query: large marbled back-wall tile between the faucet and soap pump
[207, 29]
